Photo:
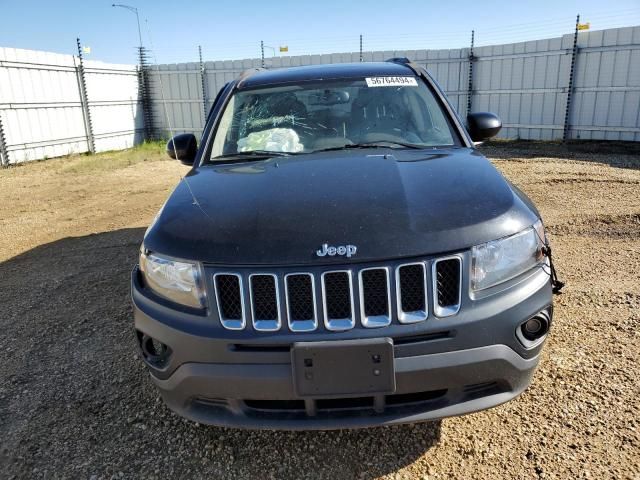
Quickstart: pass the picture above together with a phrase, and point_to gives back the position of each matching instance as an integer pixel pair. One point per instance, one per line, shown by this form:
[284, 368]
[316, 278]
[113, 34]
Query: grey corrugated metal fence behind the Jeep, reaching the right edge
[525, 83]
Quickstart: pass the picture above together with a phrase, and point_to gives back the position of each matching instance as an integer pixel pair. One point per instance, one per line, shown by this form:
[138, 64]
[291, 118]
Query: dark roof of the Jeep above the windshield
[321, 72]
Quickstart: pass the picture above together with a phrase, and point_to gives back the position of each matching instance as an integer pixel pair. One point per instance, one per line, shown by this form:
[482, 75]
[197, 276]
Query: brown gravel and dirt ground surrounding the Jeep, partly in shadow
[76, 402]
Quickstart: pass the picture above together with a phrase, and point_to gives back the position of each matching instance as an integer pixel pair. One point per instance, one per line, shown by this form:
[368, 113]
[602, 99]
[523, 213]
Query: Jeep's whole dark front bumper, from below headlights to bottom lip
[443, 367]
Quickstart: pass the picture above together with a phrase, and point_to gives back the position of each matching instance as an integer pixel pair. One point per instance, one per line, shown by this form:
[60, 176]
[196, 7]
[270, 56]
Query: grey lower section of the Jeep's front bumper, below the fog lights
[449, 384]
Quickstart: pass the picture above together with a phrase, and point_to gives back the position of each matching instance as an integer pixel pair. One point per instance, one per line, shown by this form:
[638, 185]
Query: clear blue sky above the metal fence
[229, 30]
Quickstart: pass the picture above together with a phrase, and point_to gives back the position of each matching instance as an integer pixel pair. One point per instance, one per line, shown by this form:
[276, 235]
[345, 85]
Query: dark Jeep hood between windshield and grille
[388, 203]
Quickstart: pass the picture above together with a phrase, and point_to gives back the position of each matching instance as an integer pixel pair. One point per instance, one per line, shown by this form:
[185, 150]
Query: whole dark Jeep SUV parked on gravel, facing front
[339, 256]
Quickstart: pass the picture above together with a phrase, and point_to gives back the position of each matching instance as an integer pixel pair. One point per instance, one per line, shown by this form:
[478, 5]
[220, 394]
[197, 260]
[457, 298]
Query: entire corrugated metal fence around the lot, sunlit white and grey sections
[526, 84]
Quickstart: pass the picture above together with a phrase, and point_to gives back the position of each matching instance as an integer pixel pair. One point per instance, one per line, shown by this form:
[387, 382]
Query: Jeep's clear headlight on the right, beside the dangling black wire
[500, 260]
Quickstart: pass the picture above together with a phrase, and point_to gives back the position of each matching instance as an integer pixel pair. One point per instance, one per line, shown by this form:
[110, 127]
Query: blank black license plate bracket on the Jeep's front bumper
[343, 368]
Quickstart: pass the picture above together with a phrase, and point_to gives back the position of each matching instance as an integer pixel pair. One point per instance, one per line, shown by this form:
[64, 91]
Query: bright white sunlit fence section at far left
[43, 112]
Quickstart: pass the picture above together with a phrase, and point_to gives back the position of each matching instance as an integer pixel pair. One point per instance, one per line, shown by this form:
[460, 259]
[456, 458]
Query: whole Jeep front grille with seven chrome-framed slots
[305, 297]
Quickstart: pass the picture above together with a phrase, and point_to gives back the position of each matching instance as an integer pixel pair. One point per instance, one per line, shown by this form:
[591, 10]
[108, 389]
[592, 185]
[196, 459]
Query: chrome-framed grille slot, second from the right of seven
[411, 288]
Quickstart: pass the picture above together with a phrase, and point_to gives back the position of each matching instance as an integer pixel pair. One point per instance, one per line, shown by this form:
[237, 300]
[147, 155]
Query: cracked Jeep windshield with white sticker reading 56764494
[399, 112]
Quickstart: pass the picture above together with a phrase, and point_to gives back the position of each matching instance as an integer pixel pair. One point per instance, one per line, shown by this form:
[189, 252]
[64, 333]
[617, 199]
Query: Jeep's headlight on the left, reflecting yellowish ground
[180, 282]
